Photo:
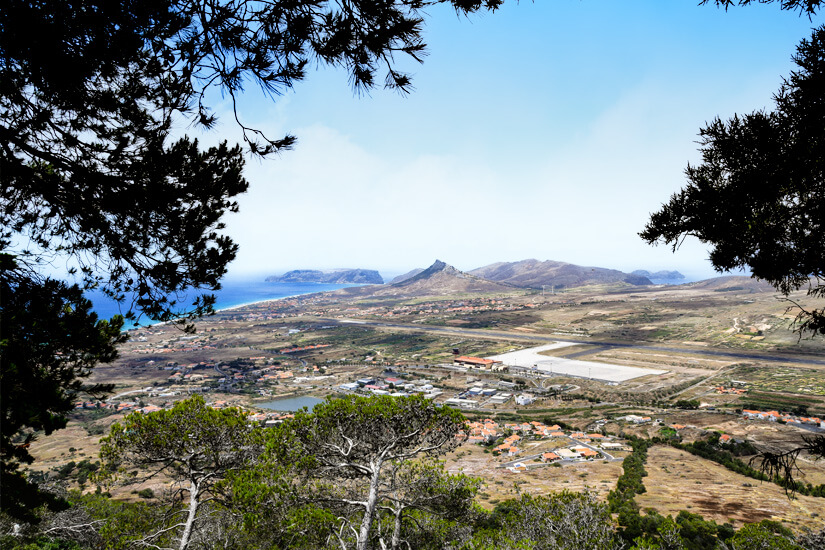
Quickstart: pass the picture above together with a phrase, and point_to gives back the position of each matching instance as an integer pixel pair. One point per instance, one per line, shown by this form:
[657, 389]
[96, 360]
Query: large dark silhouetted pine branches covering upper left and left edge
[94, 174]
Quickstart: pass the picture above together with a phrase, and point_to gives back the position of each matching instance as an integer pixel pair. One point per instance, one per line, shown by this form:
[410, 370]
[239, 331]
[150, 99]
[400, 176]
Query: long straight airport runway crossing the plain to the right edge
[483, 333]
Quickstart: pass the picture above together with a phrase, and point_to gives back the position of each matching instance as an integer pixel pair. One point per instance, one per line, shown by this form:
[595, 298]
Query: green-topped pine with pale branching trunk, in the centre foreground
[364, 469]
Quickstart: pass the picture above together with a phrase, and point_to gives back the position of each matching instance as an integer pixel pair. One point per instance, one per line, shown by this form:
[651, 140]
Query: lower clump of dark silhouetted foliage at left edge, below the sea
[49, 344]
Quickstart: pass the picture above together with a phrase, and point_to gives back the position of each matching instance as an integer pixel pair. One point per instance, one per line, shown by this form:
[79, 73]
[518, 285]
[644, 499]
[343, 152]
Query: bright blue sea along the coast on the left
[233, 293]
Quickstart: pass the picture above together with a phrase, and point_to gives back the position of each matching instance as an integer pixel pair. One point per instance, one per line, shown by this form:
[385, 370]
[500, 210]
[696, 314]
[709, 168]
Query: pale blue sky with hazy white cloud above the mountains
[547, 130]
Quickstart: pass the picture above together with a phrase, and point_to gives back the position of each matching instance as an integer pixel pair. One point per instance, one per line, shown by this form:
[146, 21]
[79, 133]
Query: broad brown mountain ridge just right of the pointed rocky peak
[534, 274]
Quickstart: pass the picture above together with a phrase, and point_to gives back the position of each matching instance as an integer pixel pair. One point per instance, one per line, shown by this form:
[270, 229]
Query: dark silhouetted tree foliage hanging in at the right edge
[756, 198]
